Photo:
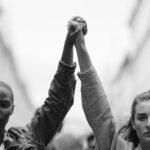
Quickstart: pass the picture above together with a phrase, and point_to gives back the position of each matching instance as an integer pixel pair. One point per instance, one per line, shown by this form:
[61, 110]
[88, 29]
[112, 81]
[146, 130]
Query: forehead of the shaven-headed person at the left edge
[5, 93]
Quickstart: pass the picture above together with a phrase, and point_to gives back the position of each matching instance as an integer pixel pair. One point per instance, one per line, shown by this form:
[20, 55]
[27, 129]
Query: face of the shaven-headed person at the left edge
[6, 106]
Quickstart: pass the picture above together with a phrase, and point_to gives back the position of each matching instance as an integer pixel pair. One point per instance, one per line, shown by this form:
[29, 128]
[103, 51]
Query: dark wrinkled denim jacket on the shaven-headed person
[45, 123]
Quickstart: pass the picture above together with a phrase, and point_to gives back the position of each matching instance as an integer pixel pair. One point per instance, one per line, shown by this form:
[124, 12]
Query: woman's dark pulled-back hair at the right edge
[127, 130]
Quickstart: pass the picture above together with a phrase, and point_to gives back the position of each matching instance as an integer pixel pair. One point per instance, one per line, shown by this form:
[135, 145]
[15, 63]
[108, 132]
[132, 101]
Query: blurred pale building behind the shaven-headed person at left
[8, 73]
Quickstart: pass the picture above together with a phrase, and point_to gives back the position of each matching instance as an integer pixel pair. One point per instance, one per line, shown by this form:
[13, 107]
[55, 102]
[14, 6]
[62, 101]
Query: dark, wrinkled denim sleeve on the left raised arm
[60, 98]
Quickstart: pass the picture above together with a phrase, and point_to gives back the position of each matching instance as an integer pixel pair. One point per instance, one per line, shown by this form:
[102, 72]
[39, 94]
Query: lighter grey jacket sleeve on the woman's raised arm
[98, 113]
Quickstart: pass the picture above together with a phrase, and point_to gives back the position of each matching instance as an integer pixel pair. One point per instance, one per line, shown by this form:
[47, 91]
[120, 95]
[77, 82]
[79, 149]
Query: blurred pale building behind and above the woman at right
[133, 77]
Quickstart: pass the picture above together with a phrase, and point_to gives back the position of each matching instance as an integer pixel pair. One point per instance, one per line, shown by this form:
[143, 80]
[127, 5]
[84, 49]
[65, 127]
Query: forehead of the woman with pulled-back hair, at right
[143, 107]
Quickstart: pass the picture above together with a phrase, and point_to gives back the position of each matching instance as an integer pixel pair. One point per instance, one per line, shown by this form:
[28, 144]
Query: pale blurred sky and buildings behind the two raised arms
[32, 34]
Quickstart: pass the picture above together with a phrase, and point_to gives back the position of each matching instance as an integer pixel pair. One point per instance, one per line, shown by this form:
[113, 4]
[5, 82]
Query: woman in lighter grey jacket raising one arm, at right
[98, 112]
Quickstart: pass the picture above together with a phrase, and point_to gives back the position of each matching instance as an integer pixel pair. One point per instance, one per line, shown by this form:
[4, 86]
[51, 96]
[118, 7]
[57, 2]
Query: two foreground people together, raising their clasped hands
[43, 127]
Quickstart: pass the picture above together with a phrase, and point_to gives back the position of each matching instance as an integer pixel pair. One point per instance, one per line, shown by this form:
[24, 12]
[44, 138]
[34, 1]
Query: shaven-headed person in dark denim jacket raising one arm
[48, 118]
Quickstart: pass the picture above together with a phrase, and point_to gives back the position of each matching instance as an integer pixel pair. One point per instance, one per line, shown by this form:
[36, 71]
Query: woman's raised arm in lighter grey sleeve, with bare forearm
[94, 99]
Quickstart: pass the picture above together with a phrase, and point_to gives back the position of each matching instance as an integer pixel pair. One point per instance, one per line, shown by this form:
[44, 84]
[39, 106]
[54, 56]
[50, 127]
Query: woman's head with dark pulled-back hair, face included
[138, 127]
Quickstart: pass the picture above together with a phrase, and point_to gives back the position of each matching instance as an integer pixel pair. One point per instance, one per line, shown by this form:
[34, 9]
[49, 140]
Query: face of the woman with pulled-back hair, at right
[141, 122]
